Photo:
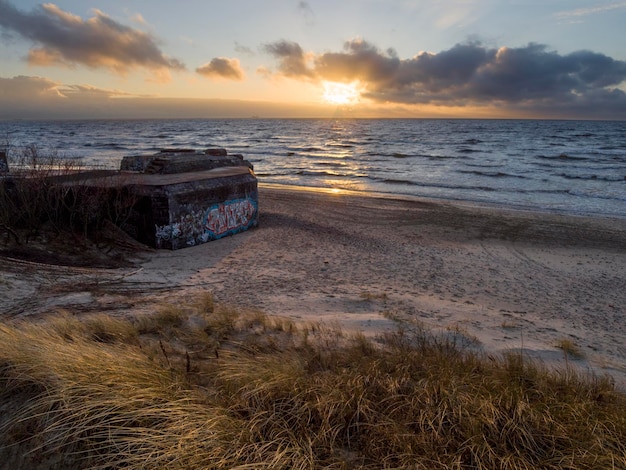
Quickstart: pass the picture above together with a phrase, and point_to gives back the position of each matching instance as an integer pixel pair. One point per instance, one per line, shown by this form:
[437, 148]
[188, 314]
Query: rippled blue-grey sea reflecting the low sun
[571, 167]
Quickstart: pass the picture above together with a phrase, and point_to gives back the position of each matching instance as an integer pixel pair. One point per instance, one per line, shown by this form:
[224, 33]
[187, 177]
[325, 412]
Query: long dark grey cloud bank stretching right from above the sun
[469, 74]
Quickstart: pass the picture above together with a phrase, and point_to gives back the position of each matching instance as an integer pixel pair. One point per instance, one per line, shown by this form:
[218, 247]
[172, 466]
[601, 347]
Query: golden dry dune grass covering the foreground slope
[205, 386]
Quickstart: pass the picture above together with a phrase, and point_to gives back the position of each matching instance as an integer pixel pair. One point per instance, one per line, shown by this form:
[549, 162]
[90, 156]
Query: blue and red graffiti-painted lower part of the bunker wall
[200, 226]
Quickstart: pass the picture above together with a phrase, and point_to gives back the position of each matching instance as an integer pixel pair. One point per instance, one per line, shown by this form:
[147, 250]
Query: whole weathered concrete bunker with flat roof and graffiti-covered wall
[173, 199]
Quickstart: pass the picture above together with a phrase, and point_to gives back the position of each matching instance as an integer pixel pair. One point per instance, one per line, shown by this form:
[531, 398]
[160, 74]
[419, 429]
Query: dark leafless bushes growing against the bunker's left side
[45, 195]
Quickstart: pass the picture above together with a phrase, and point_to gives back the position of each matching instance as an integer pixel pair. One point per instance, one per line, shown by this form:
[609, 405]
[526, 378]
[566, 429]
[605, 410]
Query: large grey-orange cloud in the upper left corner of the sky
[62, 38]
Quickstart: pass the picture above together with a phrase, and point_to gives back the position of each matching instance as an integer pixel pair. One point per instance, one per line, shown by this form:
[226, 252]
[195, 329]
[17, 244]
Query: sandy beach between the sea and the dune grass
[498, 279]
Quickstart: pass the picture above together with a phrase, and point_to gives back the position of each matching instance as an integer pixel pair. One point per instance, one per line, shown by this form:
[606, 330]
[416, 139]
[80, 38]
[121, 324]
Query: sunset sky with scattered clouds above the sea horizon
[76, 59]
